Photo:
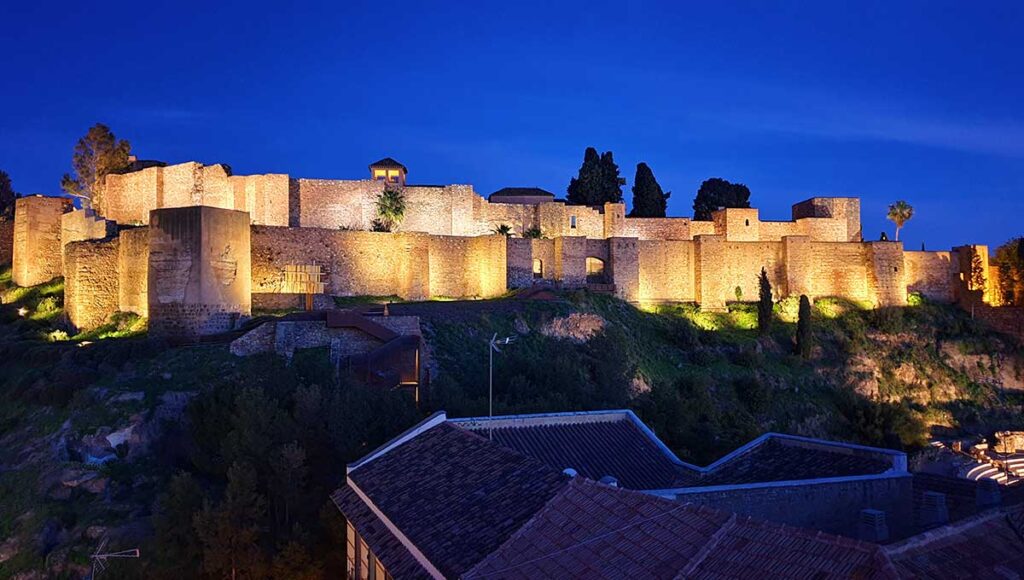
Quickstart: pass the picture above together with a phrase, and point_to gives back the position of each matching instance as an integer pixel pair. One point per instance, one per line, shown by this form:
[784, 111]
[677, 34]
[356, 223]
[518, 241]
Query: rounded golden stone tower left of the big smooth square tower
[92, 282]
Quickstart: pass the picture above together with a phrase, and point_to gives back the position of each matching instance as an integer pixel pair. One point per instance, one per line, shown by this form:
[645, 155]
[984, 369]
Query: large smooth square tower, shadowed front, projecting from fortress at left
[200, 278]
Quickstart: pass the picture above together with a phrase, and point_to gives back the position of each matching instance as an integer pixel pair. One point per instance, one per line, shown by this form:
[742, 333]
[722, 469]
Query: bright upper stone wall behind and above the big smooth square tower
[129, 198]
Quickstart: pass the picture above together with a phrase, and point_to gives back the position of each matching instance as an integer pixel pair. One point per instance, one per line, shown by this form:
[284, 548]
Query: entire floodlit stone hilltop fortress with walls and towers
[195, 248]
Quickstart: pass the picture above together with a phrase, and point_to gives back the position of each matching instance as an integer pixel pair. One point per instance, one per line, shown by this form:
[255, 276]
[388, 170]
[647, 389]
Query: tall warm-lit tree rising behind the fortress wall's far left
[97, 155]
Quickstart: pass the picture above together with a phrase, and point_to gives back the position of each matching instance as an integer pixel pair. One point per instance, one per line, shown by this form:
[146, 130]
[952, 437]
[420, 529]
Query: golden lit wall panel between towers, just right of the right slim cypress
[839, 270]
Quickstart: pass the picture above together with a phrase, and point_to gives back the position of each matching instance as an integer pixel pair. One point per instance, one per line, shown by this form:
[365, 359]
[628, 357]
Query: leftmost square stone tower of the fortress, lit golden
[37, 256]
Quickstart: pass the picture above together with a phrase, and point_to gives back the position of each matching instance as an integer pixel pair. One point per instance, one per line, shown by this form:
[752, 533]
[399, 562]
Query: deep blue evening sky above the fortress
[921, 102]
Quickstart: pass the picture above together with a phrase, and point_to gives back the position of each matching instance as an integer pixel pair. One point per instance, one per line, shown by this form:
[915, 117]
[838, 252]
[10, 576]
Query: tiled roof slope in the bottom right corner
[984, 547]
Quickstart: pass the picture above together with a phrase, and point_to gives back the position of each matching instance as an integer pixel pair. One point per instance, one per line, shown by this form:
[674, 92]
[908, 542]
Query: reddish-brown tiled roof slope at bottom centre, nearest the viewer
[594, 531]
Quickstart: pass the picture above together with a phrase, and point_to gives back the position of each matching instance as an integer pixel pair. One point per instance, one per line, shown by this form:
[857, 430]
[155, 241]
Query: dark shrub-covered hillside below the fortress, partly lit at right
[207, 462]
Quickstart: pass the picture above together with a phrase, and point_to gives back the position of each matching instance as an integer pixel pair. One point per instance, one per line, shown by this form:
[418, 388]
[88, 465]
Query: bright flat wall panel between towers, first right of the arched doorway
[667, 271]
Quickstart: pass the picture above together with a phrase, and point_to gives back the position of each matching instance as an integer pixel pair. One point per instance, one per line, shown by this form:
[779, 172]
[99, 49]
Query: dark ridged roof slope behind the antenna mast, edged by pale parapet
[595, 445]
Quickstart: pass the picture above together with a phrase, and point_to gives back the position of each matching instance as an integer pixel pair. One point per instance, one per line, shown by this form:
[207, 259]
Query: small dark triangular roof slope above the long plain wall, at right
[780, 460]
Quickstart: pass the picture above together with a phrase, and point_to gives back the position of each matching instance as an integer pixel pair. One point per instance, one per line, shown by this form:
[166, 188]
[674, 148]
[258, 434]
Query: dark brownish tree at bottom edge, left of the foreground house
[231, 532]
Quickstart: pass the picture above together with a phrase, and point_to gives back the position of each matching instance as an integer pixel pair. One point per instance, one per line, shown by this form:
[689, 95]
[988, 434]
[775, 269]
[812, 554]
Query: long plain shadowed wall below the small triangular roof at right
[833, 508]
